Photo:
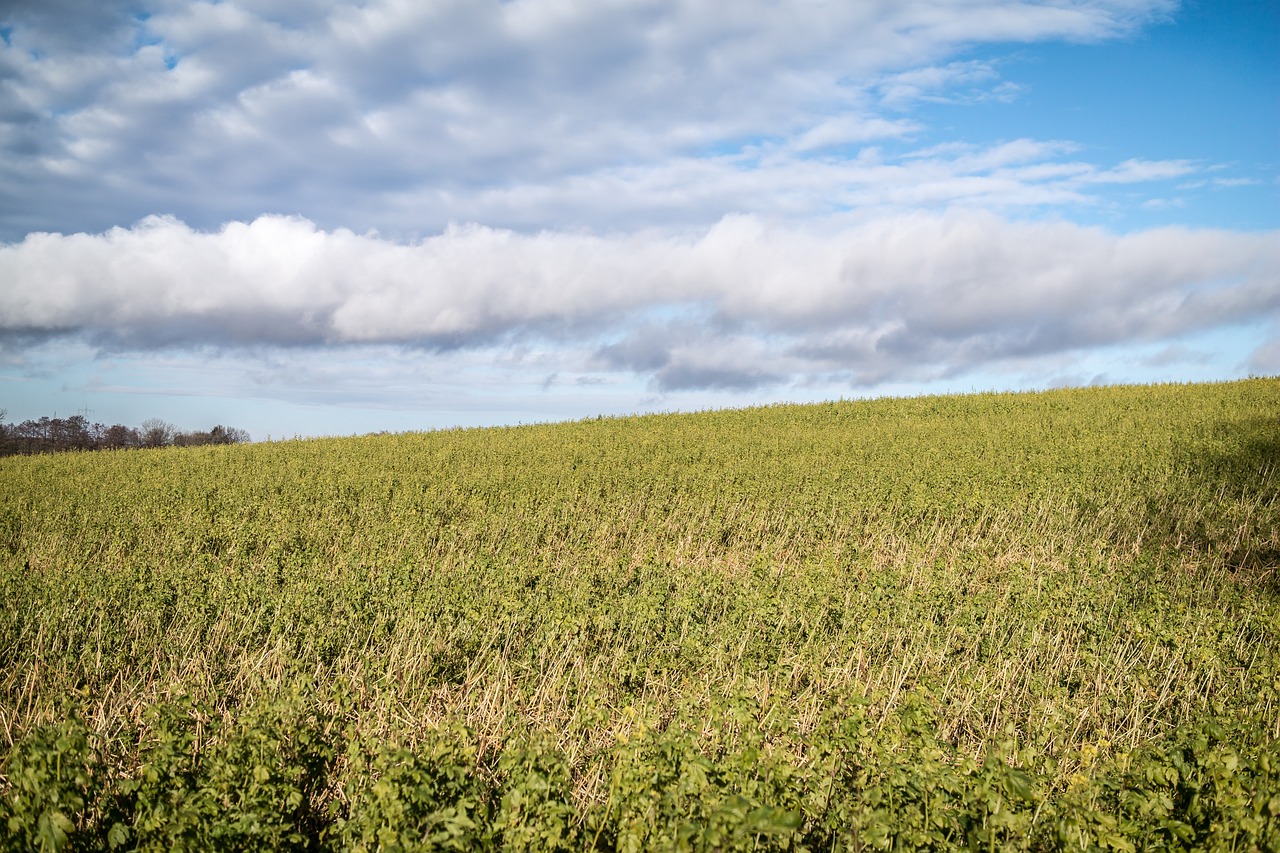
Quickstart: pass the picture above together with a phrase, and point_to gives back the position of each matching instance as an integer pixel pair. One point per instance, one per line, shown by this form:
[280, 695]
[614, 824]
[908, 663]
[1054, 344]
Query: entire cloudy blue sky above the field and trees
[322, 218]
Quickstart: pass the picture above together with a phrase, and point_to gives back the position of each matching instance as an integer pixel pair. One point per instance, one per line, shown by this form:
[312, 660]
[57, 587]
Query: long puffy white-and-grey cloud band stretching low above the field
[746, 303]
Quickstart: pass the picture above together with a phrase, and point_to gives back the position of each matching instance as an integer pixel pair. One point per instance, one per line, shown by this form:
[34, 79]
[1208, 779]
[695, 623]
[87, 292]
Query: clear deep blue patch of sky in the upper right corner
[1204, 88]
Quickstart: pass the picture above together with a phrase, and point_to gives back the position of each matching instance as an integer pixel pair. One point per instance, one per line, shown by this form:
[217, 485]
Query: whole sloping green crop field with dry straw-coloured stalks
[990, 622]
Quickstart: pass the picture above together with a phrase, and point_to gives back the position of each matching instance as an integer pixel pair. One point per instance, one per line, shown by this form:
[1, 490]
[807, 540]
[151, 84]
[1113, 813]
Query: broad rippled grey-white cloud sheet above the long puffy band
[406, 116]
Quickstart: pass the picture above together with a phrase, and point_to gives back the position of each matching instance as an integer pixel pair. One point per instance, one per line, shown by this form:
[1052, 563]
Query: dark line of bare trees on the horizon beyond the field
[76, 434]
